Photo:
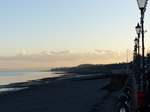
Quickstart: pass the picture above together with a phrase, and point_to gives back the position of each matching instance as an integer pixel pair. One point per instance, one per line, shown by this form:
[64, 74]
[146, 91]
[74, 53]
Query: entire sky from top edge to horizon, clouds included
[53, 33]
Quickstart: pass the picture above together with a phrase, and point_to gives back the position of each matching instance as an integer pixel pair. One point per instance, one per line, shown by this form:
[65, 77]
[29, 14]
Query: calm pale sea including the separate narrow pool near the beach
[7, 78]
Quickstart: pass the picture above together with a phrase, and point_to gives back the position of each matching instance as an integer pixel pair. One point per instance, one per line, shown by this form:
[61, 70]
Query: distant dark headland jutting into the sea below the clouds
[92, 69]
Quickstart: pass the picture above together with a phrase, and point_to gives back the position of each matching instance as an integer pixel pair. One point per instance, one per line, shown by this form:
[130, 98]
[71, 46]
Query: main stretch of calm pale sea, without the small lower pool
[13, 77]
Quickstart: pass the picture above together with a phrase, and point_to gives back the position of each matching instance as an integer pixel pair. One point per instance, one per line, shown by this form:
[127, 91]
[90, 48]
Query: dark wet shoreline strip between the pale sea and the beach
[63, 76]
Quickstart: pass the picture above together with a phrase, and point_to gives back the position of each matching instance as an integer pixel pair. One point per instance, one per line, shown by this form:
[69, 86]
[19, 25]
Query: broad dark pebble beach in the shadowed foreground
[67, 95]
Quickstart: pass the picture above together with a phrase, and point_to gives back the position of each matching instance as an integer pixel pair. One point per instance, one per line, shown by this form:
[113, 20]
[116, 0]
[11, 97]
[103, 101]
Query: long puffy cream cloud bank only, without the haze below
[52, 56]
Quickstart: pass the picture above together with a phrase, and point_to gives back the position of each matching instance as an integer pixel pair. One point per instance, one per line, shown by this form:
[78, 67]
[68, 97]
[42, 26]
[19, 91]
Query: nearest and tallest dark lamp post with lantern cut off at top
[142, 6]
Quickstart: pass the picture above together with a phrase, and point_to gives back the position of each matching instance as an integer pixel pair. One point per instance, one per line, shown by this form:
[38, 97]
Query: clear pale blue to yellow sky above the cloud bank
[77, 25]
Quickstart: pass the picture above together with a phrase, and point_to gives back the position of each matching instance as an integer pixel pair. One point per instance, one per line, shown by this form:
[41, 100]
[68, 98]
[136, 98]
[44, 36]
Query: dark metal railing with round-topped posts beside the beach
[127, 99]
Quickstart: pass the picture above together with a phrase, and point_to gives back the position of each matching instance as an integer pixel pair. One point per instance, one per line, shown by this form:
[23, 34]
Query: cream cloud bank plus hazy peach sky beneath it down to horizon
[50, 59]
